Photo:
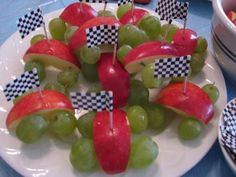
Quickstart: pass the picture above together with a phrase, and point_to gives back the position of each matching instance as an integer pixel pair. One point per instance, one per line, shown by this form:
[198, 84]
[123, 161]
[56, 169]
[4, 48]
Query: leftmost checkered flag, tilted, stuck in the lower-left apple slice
[21, 84]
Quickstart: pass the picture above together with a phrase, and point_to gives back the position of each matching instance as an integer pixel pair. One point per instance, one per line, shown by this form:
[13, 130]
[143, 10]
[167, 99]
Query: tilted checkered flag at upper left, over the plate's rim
[30, 22]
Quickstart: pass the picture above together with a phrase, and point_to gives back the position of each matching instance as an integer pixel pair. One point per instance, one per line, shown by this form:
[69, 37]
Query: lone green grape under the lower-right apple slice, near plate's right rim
[189, 128]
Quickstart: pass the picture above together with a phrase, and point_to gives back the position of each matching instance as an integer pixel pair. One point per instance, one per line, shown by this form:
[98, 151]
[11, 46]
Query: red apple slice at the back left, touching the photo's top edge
[78, 13]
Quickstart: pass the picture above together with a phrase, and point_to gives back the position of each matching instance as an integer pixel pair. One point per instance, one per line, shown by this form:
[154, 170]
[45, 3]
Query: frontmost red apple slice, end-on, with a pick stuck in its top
[112, 146]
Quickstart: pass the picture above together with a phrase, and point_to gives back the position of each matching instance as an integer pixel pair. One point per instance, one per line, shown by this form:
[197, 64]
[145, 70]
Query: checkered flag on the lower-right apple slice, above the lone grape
[172, 67]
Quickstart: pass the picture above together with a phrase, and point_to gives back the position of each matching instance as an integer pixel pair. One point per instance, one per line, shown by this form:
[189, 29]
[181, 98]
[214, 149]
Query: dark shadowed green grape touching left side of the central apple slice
[89, 72]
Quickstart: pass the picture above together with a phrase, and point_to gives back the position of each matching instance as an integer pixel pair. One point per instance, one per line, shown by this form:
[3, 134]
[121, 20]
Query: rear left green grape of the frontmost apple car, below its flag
[85, 124]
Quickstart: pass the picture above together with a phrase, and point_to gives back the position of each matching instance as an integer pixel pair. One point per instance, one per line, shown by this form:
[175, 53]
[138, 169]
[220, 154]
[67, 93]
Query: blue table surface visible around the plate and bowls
[199, 19]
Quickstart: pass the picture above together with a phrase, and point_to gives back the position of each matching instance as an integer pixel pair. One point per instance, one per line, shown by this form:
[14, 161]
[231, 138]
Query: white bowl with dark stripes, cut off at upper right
[223, 35]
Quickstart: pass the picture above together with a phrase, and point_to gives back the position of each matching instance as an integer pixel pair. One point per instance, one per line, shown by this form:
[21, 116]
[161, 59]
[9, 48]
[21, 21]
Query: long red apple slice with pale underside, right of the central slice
[147, 53]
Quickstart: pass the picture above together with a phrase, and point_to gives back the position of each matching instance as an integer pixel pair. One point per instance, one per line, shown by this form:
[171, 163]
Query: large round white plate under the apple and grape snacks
[50, 157]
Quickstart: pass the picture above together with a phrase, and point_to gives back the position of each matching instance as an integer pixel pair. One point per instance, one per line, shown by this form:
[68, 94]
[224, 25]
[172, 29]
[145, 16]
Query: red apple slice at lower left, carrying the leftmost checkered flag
[37, 102]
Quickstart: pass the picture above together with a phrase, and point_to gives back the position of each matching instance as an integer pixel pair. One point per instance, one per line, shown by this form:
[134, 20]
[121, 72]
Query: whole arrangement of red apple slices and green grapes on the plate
[127, 70]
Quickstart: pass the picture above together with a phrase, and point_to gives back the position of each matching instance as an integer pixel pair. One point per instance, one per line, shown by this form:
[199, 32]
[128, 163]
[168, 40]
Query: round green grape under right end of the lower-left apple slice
[63, 123]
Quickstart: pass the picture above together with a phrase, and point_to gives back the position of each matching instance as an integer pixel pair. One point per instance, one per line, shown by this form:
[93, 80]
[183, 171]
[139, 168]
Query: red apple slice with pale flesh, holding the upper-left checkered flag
[52, 52]
